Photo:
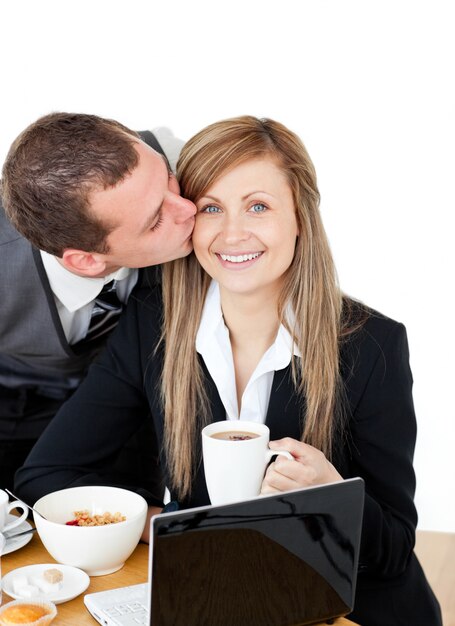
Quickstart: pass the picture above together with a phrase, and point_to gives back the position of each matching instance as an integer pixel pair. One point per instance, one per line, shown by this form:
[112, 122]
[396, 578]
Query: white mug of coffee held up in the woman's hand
[234, 469]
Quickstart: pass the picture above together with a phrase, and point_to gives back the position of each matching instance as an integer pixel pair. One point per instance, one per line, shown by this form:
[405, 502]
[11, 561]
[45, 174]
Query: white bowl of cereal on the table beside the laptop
[97, 550]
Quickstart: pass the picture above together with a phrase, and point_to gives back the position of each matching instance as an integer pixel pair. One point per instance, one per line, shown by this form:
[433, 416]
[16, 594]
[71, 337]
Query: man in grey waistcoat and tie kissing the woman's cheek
[88, 201]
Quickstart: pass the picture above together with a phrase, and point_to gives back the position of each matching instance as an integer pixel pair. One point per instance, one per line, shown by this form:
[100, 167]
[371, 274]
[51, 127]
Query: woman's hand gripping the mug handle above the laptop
[310, 467]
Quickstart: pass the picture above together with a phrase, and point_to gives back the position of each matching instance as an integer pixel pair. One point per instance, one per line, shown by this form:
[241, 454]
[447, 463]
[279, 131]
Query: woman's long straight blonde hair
[310, 288]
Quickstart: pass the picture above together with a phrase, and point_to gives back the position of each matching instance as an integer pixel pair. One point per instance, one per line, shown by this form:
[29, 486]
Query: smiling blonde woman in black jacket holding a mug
[256, 327]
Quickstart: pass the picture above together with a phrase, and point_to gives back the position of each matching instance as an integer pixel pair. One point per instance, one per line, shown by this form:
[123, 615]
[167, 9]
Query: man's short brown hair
[50, 171]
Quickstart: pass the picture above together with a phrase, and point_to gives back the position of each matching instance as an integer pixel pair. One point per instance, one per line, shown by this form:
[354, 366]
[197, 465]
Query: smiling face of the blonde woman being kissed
[246, 228]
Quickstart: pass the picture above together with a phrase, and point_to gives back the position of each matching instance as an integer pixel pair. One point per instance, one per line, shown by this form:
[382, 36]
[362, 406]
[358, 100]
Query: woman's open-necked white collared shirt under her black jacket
[213, 344]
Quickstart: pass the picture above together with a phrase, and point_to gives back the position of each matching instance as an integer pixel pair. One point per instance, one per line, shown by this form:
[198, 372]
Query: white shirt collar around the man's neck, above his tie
[72, 290]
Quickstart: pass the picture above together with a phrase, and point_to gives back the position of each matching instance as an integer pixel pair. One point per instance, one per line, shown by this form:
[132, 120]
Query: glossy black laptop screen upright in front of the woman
[289, 558]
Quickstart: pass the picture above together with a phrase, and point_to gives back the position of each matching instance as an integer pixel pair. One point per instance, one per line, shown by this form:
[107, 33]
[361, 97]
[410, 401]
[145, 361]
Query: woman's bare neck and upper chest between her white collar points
[253, 323]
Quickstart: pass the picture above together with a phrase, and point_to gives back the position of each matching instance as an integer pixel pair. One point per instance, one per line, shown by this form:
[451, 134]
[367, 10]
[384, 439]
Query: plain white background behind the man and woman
[369, 87]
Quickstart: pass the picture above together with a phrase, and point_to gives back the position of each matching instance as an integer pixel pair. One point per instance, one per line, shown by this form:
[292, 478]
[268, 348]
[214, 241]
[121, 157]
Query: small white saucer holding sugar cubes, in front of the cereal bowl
[75, 581]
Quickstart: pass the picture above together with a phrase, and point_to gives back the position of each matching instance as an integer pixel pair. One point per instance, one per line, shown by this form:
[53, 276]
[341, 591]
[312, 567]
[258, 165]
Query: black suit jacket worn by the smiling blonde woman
[122, 390]
